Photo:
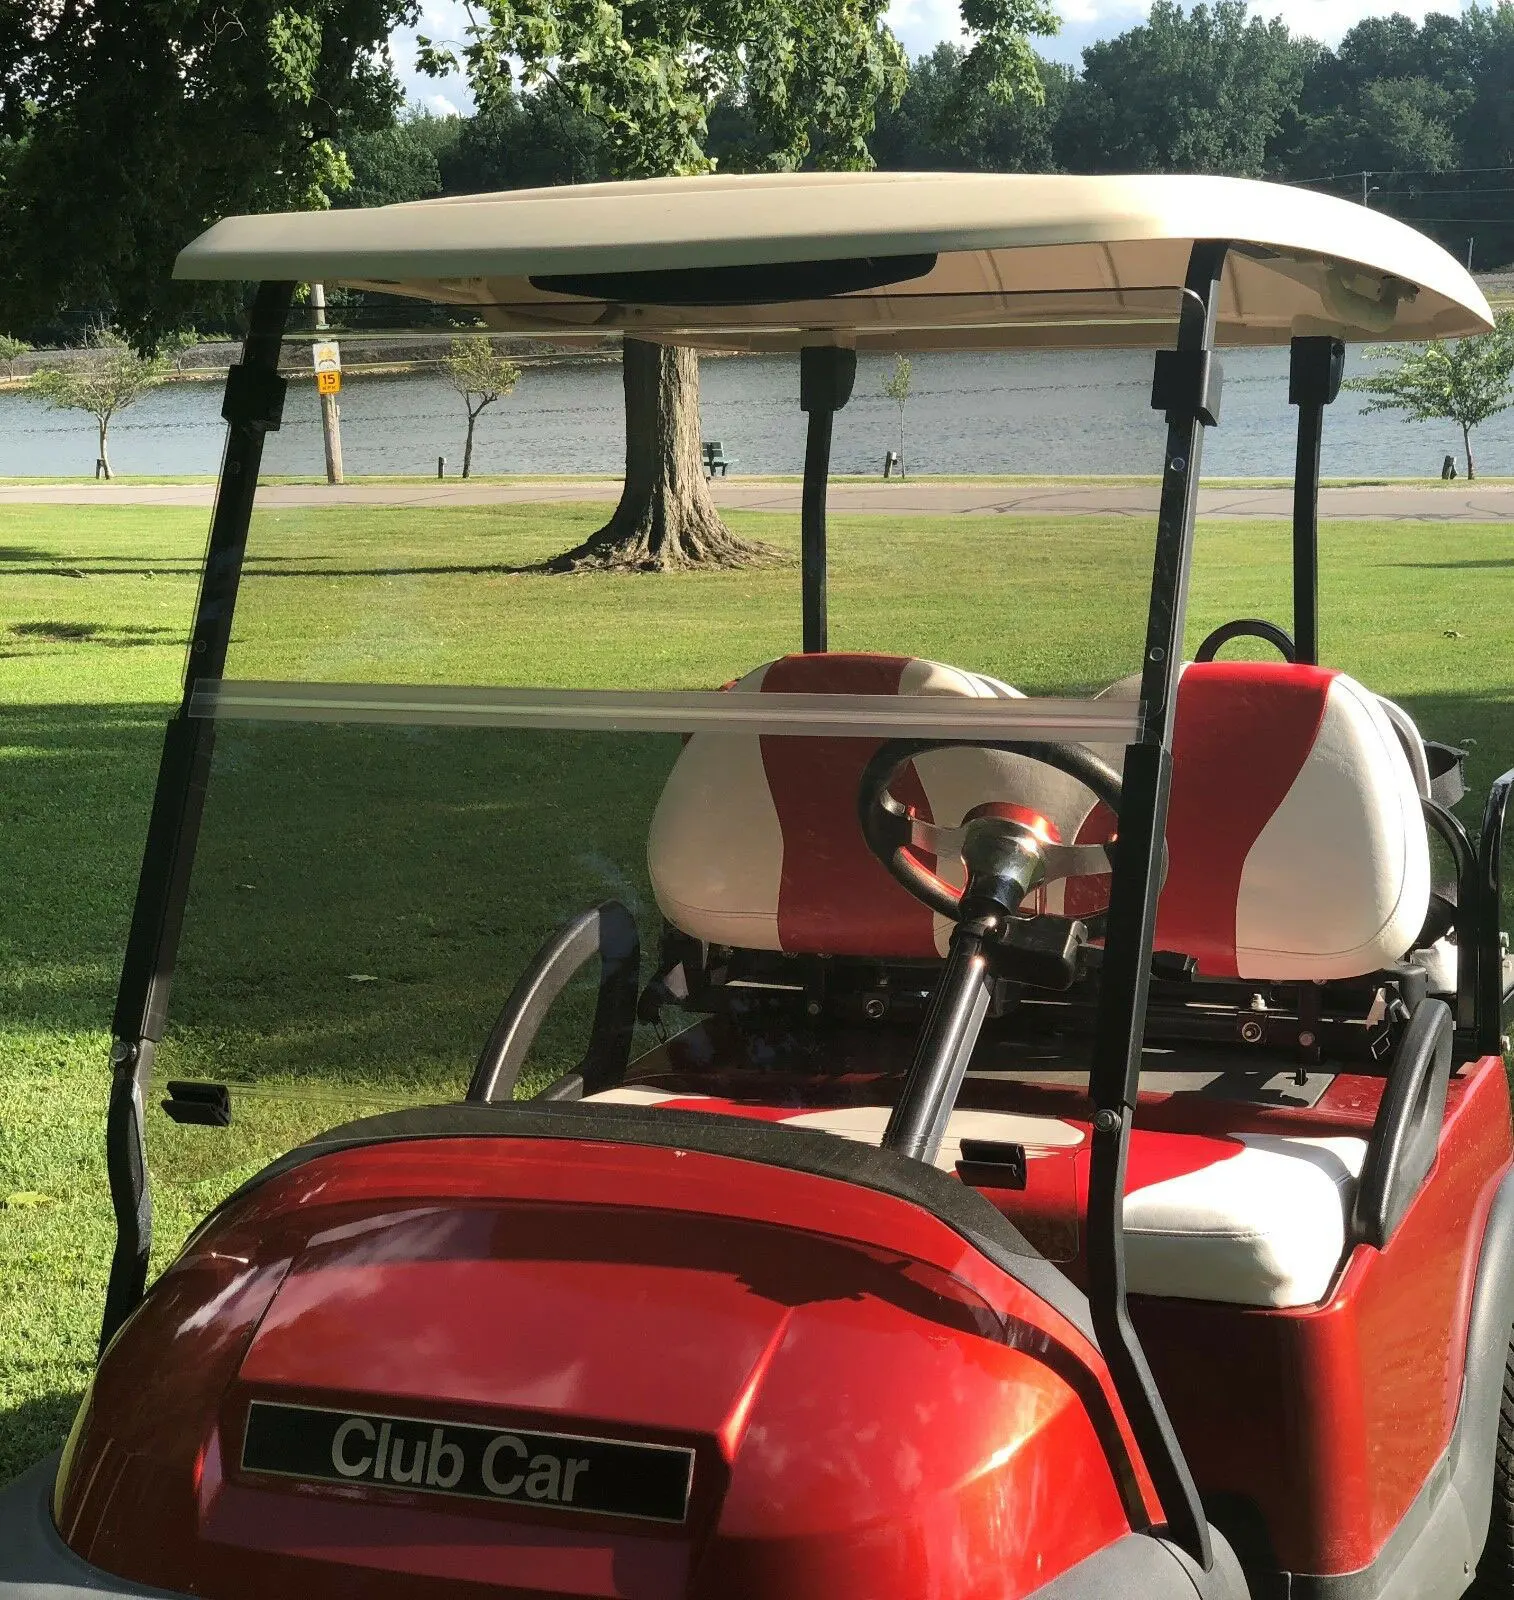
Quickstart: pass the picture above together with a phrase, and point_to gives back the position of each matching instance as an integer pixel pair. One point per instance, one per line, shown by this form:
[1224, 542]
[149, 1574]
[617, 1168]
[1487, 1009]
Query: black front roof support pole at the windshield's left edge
[254, 406]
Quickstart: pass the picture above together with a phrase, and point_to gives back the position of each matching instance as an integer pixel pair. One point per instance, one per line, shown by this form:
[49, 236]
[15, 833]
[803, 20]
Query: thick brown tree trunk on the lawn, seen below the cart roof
[667, 521]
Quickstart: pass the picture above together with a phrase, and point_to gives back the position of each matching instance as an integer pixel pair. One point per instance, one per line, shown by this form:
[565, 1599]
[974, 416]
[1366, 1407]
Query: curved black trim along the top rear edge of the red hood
[713, 1134]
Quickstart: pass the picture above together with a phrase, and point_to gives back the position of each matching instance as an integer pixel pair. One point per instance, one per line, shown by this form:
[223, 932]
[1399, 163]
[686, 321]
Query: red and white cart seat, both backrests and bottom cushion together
[1297, 854]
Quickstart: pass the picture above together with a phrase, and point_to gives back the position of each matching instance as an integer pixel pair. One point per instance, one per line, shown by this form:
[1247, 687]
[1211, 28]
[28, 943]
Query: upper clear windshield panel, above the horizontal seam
[399, 577]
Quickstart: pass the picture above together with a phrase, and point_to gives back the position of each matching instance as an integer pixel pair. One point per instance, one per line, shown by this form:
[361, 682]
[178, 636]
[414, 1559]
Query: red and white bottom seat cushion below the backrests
[1248, 1220]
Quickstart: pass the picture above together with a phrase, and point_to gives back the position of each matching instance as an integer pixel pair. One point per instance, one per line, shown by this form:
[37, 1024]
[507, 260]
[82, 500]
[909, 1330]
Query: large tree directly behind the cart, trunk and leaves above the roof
[809, 78]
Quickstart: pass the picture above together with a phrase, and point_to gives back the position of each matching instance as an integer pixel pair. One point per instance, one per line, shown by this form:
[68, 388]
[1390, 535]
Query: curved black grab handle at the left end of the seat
[607, 932]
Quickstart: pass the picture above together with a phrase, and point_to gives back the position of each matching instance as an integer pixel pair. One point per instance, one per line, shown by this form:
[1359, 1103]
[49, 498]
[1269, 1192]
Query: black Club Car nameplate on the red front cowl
[609, 1478]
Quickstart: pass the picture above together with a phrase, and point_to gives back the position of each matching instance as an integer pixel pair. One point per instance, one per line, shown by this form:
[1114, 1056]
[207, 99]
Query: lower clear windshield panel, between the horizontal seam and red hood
[372, 892]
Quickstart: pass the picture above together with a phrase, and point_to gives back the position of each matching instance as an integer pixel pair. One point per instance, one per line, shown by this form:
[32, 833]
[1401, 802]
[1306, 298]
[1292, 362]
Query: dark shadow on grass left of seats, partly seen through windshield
[364, 898]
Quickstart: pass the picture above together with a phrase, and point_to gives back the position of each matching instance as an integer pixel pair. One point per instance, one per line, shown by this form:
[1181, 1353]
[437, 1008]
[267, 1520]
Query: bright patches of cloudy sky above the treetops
[923, 25]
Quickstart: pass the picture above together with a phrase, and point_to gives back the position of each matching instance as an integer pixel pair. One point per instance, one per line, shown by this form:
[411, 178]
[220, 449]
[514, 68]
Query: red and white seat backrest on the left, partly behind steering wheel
[756, 844]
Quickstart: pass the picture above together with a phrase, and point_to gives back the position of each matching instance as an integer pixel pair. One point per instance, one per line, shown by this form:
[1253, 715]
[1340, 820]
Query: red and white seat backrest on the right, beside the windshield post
[1297, 844]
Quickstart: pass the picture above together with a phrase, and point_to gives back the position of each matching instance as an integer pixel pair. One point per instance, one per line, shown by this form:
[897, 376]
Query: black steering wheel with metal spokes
[894, 833]
